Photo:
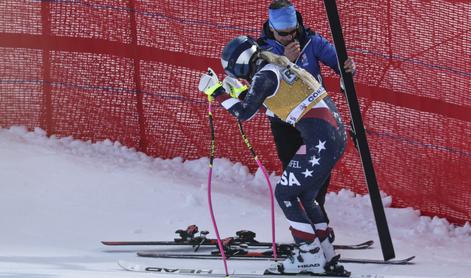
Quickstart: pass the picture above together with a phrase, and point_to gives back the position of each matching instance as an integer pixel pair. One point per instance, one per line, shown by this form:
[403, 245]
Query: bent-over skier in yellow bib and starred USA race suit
[295, 97]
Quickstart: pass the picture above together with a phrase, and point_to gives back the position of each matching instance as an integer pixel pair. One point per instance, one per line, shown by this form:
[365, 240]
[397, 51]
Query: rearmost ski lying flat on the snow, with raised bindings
[244, 238]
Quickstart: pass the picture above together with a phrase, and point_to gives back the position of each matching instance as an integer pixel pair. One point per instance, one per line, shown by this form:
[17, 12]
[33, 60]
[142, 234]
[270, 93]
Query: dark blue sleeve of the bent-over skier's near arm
[264, 84]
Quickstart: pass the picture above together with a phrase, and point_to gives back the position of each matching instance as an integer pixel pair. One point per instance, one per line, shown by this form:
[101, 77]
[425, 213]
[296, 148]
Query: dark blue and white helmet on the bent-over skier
[238, 55]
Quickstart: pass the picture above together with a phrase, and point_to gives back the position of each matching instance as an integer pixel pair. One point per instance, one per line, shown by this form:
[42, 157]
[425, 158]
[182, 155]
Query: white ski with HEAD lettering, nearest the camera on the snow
[138, 267]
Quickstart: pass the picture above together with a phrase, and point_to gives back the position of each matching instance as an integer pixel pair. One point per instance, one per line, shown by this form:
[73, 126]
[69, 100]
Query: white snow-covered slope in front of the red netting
[60, 197]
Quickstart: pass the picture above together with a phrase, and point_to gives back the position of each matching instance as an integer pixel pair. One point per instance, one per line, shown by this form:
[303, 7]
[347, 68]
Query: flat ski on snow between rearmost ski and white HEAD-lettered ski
[267, 255]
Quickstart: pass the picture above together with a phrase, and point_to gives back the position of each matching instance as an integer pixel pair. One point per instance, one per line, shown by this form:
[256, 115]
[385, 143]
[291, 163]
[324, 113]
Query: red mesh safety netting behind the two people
[128, 71]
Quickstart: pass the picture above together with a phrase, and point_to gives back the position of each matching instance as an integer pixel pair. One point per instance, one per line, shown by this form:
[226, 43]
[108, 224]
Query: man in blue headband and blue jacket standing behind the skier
[285, 34]
